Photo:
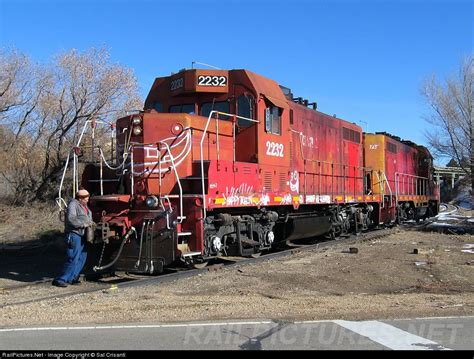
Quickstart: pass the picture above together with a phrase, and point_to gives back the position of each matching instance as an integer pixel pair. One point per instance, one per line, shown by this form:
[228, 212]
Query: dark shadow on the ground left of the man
[32, 261]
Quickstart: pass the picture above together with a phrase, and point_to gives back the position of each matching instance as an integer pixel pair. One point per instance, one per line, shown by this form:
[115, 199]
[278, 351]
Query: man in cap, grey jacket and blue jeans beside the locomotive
[78, 218]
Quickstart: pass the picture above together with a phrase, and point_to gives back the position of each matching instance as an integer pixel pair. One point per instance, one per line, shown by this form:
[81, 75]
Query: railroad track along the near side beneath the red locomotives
[123, 280]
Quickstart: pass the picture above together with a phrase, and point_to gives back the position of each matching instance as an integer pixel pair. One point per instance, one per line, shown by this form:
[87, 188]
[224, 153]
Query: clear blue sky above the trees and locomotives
[363, 60]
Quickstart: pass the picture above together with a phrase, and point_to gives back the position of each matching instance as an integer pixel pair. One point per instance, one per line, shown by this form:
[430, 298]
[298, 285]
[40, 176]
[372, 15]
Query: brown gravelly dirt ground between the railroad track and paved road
[385, 279]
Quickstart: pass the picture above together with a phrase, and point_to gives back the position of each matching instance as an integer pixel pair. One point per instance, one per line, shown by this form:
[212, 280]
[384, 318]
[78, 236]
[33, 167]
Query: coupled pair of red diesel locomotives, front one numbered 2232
[228, 163]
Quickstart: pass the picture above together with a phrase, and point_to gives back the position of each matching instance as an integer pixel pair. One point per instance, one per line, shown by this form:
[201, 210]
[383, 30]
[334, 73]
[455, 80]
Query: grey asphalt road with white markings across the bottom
[453, 333]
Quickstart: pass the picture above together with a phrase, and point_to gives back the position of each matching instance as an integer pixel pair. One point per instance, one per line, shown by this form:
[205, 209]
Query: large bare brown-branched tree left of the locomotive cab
[47, 112]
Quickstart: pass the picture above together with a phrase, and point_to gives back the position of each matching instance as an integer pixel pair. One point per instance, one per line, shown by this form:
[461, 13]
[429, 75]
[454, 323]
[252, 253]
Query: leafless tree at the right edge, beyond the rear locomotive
[452, 120]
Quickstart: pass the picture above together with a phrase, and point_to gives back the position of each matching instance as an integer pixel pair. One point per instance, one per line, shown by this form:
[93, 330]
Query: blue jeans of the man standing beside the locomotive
[76, 258]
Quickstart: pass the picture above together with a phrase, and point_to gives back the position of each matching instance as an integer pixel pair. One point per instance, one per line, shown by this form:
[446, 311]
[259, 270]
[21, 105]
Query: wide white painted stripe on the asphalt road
[390, 336]
